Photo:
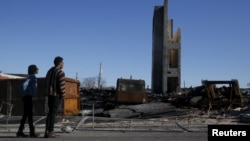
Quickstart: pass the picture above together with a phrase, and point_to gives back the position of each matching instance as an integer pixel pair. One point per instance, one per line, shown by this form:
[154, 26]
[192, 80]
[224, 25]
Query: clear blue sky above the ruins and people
[118, 33]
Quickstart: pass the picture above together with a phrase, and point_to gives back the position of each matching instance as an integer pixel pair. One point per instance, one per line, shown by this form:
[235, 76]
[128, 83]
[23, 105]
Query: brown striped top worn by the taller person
[55, 82]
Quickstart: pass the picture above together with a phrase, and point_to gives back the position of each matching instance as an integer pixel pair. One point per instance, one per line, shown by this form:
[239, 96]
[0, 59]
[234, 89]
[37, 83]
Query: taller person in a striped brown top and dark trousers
[54, 91]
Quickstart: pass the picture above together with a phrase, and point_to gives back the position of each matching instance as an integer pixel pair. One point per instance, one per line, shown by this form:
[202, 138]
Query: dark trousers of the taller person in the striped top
[53, 105]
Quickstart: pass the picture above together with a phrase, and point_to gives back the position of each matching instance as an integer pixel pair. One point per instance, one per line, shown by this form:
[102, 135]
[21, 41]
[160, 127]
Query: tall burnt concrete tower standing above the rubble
[166, 53]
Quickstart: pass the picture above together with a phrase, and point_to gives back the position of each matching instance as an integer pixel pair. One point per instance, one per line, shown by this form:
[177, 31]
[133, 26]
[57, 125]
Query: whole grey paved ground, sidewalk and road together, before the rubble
[116, 130]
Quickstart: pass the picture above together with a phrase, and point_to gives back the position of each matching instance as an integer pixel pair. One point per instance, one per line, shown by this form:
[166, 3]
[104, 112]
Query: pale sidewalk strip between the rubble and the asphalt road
[87, 123]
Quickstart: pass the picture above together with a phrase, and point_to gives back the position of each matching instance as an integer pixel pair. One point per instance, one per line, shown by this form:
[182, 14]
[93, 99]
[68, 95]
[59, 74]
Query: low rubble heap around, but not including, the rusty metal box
[102, 103]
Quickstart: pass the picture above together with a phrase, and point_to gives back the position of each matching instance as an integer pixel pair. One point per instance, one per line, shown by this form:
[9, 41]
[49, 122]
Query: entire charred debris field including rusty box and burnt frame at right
[130, 99]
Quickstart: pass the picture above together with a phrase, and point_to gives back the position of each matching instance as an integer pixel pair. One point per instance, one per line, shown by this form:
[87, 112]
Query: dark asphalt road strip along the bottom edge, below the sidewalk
[114, 136]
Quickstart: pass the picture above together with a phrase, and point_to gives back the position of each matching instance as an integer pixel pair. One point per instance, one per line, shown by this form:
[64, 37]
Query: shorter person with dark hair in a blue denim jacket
[28, 90]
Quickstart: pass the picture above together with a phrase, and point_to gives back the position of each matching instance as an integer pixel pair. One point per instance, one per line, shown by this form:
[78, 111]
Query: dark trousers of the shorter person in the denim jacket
[27, 113]
